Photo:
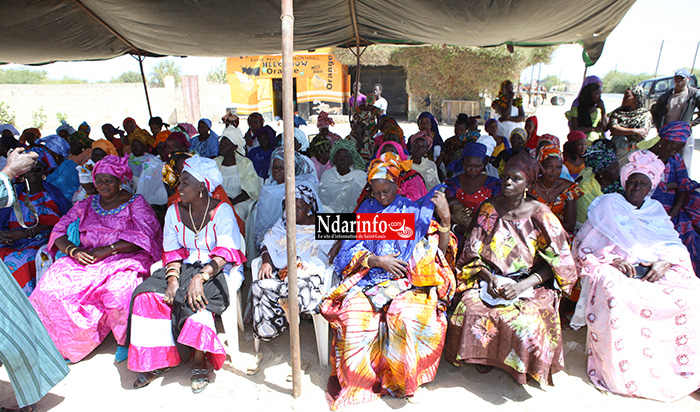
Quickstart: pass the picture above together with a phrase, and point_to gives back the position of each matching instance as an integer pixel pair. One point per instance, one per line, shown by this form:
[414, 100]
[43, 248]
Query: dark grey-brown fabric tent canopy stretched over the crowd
[44, 31]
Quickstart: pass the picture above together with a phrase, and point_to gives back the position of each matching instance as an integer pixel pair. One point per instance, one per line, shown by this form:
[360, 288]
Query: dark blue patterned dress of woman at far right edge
[687, 222]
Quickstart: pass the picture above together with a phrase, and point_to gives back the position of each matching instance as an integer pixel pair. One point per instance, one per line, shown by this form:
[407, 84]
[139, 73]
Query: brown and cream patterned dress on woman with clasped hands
[523, 338]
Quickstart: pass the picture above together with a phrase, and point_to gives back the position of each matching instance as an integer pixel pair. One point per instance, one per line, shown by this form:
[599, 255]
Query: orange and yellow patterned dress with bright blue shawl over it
[394, 345]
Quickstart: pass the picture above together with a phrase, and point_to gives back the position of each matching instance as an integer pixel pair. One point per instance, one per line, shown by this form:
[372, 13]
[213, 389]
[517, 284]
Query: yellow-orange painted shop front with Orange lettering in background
[321, 83]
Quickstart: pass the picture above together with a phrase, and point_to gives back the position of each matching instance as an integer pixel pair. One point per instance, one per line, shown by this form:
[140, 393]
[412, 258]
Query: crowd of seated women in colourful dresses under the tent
[147, 234]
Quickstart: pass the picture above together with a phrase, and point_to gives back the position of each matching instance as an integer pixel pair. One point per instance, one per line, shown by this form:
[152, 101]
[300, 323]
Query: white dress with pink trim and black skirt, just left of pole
[162, 335]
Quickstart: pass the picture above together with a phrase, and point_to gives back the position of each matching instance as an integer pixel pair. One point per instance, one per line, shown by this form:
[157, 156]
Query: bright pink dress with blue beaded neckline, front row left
[80, 305]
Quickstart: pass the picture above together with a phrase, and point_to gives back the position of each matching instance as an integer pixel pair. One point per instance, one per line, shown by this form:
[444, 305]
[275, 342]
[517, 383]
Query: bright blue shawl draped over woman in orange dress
[422, 209]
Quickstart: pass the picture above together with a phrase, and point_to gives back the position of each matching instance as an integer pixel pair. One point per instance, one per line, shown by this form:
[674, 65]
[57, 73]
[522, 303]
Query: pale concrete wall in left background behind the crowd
[111, 103]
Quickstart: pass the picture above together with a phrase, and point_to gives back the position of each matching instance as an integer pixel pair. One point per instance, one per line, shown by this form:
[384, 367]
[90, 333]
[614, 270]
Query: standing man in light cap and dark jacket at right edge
[679, 104]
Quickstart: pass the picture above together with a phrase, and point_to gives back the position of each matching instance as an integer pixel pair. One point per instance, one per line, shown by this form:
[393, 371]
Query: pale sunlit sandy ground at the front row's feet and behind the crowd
[98, 383]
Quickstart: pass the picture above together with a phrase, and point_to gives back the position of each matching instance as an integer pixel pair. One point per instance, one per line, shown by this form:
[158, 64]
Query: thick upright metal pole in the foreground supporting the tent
[289, 185]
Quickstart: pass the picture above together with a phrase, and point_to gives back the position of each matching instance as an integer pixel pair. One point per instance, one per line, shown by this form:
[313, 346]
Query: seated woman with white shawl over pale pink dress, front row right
[642, 310]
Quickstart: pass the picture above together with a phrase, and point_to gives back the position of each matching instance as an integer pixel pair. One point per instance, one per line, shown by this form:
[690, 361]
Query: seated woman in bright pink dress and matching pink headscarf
[111, 239]
